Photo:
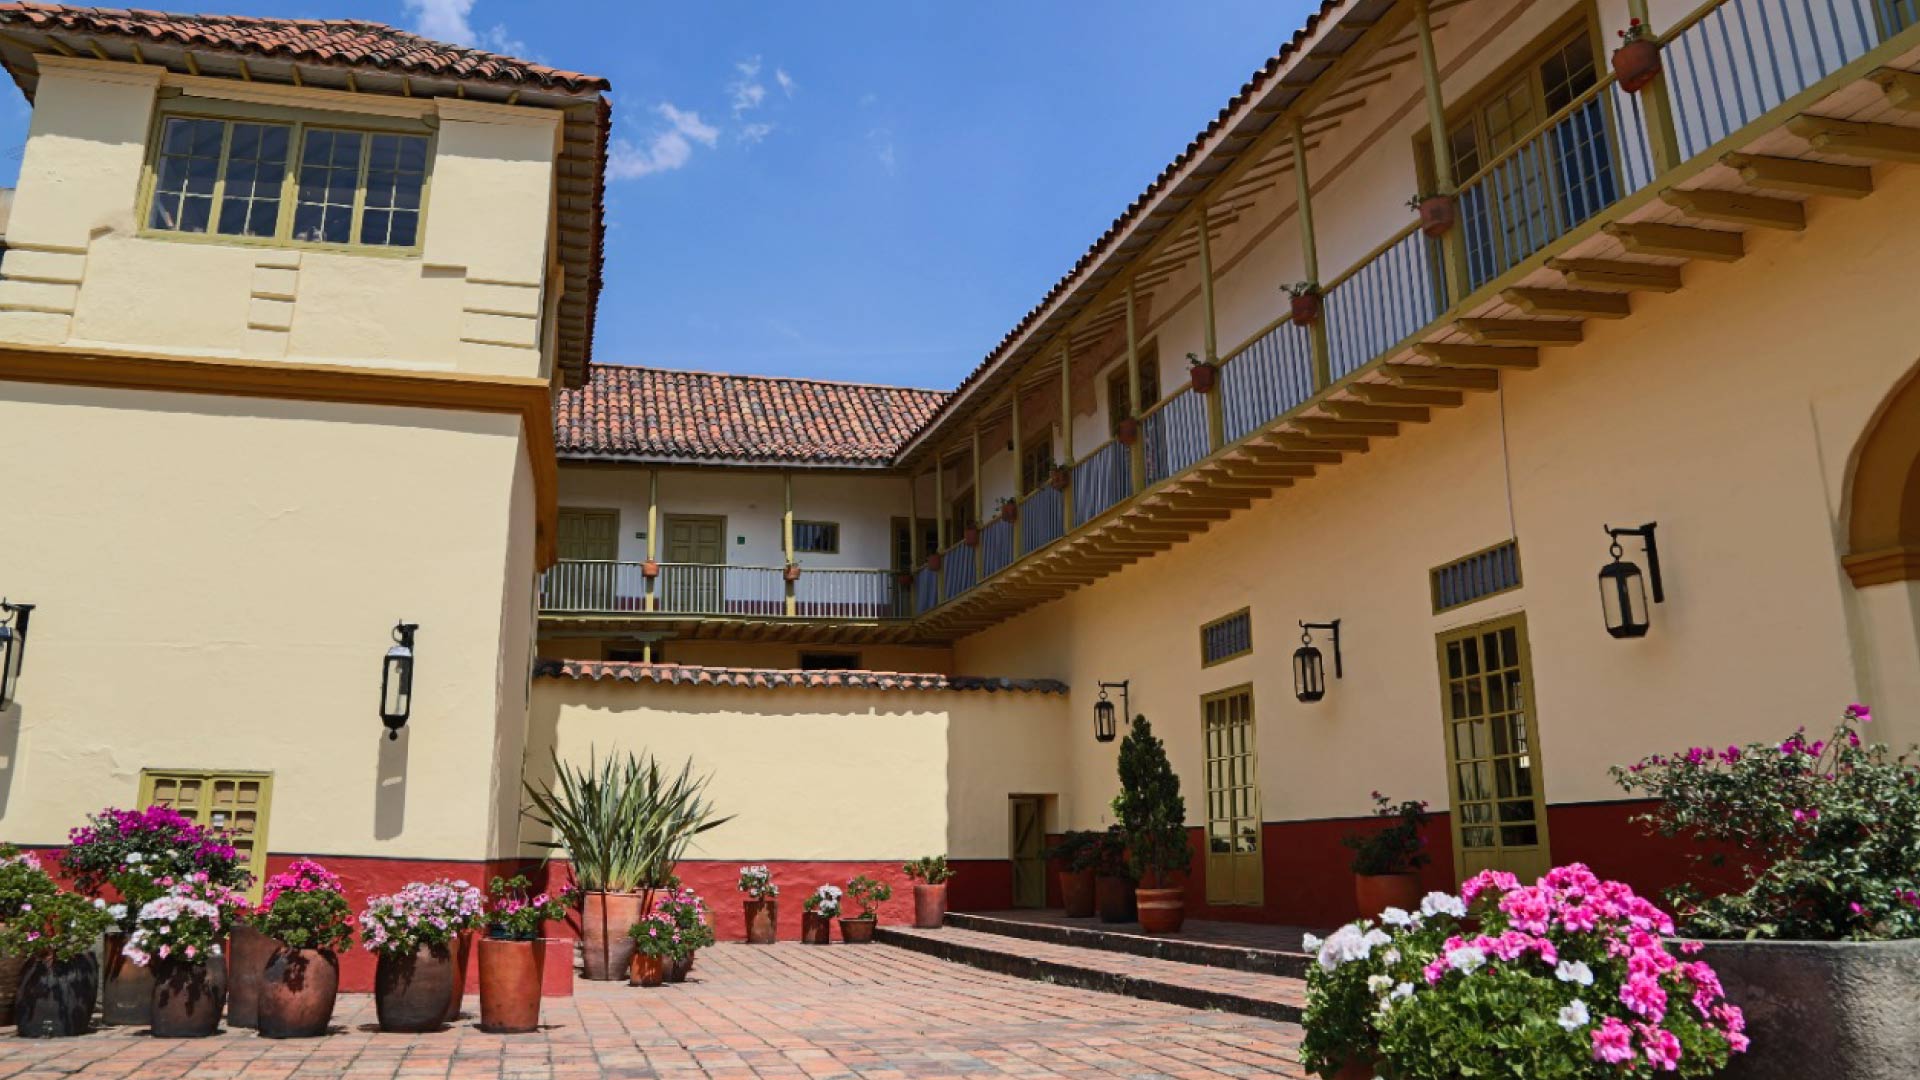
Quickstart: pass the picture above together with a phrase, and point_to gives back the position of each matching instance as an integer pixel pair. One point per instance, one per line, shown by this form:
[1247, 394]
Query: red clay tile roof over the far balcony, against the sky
[692, 416]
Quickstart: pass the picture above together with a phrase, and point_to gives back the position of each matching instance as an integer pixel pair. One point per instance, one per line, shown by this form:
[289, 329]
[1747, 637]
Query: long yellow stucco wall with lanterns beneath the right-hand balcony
[1725, 412]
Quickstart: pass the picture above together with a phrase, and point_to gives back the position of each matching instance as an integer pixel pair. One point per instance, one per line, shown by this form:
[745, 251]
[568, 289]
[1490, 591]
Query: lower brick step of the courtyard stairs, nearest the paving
[1195, 987]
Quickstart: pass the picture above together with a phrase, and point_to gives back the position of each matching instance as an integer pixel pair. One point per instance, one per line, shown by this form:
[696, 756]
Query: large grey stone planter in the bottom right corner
[1817, 1010]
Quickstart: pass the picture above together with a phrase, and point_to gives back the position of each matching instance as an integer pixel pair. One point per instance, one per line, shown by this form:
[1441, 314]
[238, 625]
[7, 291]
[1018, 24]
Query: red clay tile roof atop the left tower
[350, 43]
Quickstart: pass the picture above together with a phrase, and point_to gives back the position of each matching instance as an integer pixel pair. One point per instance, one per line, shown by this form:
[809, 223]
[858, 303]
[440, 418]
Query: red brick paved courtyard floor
[779, 1014]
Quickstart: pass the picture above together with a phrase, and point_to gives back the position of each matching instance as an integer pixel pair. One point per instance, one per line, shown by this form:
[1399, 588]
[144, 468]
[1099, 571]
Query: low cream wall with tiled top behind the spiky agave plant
[825, 773]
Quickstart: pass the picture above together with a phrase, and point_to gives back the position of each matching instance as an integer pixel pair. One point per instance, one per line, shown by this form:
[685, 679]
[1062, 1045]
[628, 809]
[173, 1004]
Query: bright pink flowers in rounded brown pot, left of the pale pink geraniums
[306, 912]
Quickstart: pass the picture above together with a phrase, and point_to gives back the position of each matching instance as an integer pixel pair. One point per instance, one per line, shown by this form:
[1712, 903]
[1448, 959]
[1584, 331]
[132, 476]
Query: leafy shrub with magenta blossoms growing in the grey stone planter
[1819, 837]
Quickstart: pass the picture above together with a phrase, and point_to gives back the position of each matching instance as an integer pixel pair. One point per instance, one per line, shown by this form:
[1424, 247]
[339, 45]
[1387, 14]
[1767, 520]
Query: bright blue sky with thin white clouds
[871, 191]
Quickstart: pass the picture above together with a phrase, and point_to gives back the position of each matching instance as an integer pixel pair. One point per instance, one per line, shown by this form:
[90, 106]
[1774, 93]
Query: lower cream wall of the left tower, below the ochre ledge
[216, 585]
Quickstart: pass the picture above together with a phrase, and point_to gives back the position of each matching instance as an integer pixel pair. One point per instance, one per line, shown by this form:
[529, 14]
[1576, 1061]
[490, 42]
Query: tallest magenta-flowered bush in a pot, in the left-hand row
[122, 856]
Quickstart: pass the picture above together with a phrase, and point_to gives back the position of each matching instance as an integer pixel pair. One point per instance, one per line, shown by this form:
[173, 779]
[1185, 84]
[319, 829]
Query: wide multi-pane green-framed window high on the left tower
[285, 178]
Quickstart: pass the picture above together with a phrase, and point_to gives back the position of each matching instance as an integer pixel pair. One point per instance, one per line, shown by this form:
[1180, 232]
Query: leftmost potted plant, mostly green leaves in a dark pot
[53, 933]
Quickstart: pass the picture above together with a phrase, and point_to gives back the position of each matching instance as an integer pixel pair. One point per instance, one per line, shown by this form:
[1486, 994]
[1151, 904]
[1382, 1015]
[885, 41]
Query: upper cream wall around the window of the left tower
[82, 274]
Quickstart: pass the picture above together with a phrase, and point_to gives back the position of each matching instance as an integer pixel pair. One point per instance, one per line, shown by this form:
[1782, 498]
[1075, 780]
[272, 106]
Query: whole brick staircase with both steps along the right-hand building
[1251, 970]
